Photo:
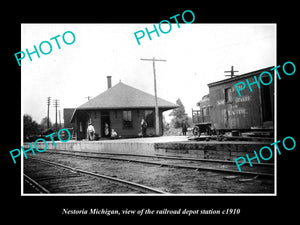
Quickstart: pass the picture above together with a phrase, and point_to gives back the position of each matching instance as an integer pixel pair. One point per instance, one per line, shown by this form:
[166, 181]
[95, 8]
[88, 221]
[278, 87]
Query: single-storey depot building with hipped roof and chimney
[122, 107]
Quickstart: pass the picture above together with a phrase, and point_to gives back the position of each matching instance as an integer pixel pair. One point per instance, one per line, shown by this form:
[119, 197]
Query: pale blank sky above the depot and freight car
[195, 54]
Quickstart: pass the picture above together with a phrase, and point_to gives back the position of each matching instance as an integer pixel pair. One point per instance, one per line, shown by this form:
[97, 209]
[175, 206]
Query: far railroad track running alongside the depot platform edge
[170, 161]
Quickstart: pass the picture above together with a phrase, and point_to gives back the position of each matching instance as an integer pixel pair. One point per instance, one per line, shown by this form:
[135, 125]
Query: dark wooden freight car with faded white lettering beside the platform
[223, 110]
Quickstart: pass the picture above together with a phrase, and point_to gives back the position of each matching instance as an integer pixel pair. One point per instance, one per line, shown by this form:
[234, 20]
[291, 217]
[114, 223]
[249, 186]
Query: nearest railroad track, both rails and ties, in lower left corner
[74, 172]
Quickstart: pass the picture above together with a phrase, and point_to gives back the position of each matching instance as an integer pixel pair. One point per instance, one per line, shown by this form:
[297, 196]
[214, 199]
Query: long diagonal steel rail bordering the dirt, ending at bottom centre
[129, 184]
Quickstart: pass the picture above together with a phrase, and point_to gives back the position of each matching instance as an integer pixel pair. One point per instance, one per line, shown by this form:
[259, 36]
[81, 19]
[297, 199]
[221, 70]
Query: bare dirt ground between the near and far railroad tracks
[172, 180]
